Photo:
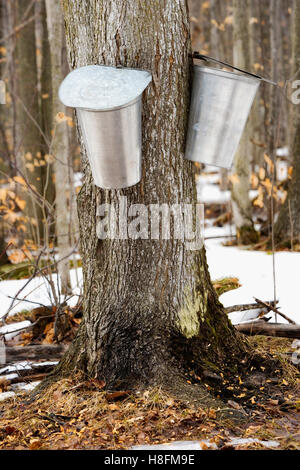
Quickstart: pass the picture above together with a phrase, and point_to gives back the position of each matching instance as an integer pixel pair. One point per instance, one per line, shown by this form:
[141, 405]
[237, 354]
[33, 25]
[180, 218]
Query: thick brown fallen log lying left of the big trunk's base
[36, 352]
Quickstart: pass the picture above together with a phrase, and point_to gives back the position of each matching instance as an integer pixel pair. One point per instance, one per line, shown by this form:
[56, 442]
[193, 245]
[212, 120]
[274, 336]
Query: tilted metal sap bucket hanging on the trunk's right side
[220, 105]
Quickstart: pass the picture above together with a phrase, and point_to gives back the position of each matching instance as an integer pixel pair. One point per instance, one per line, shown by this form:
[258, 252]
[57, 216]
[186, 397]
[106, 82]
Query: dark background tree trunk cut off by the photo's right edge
[287, 228]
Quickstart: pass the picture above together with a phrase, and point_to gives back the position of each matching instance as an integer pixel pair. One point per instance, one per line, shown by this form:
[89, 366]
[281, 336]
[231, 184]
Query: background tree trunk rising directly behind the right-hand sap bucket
[241, 204]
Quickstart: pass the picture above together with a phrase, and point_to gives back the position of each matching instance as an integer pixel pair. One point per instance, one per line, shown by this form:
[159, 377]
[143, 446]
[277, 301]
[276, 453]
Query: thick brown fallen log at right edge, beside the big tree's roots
[269, 329]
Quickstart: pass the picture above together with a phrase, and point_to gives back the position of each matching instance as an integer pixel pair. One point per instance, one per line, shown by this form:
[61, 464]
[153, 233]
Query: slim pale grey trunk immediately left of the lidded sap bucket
[60, 144]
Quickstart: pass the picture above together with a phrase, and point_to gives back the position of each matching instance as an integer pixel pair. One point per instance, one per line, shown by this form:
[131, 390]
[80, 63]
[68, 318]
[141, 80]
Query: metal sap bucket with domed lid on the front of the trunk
[108, 102]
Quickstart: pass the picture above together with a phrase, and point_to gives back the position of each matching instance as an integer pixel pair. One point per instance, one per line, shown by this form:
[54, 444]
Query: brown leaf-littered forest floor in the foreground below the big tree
[76, 413]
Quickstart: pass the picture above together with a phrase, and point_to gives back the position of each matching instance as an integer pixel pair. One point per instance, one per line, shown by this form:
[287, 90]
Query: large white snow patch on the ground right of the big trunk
[254, 269]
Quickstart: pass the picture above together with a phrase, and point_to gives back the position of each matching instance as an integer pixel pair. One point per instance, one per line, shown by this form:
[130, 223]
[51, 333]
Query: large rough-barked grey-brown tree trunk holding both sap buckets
[150, 309]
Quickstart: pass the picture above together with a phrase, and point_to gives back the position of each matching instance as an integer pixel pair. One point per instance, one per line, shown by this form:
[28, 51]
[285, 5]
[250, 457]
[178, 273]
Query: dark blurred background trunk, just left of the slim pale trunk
[28, 132]
